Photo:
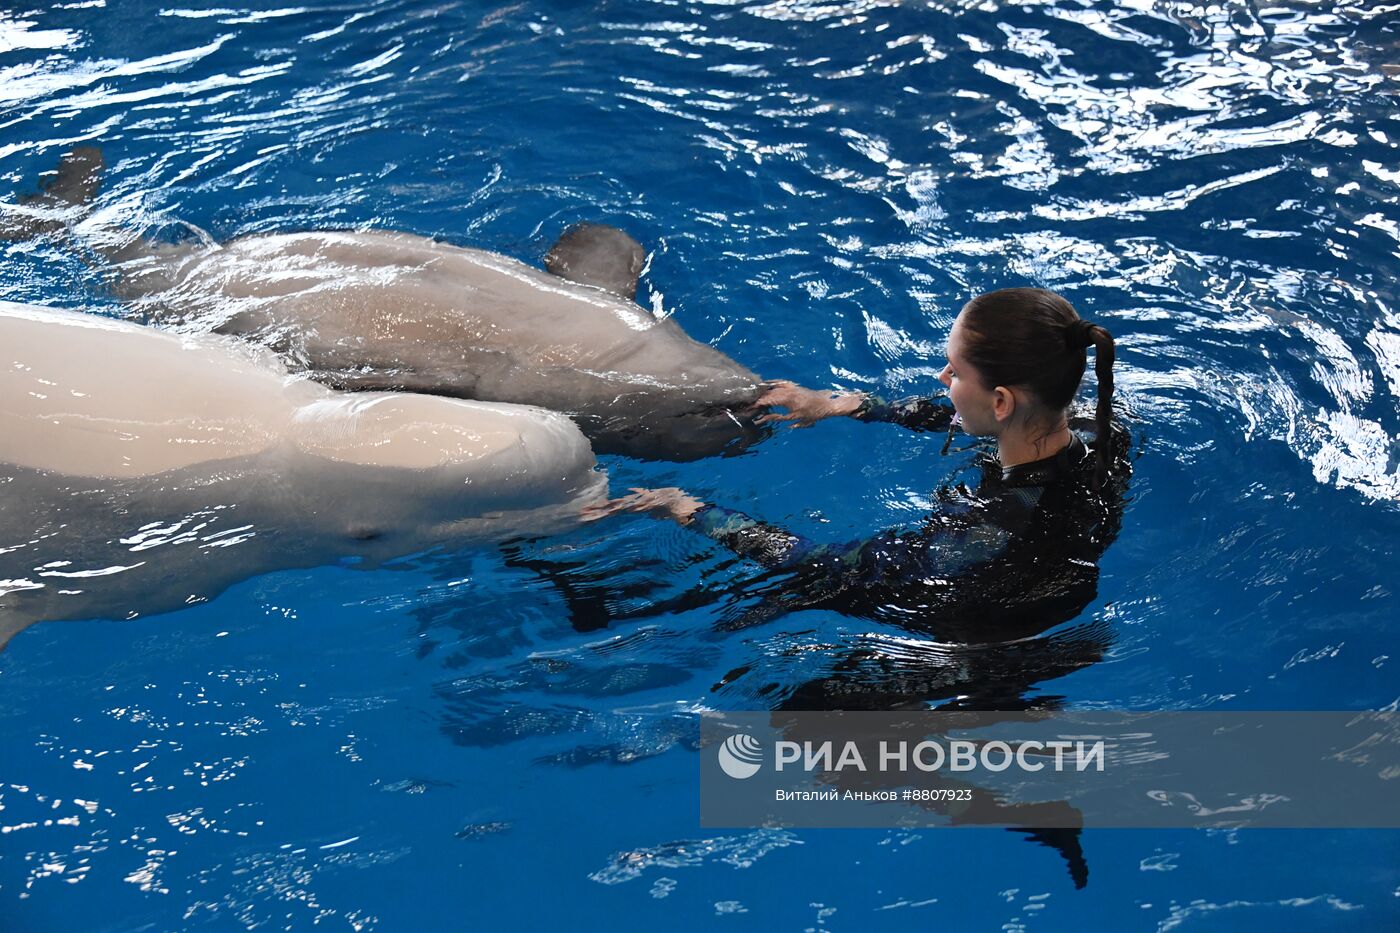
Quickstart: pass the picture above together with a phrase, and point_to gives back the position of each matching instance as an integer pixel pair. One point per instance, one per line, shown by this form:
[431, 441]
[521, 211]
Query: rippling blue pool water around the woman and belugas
[446, 743]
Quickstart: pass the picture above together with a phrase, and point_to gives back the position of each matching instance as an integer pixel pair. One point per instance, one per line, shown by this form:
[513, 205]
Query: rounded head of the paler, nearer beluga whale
[391, 469]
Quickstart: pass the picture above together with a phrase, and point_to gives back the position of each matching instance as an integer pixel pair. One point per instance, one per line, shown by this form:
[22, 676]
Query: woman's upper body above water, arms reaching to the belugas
[1030, 536]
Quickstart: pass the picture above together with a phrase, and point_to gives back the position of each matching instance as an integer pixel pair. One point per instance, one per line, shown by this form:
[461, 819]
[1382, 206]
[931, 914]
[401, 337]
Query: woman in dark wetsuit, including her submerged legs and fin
[993, 567]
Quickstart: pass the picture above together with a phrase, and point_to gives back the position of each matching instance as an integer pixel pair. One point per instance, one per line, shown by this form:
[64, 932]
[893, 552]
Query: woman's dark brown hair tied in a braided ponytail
[1035, 340]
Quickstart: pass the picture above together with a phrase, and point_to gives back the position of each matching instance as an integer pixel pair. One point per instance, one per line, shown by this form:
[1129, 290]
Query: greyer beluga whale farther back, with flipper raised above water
[377, 310]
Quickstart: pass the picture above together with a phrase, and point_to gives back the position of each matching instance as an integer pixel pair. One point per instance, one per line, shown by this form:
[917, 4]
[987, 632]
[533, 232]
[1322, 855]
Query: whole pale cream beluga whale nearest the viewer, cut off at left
[142, 471]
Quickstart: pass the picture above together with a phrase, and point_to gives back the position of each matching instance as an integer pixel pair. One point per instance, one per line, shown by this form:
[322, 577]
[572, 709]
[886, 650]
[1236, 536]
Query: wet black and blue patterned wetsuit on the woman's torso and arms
[1007, 560]
